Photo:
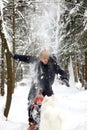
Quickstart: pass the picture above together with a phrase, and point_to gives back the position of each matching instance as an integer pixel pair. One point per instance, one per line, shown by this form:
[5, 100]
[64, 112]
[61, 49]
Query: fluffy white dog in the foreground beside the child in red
[50, 115]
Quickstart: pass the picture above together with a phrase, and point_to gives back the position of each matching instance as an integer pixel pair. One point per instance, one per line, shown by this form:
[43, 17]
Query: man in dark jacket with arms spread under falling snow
[45, 69]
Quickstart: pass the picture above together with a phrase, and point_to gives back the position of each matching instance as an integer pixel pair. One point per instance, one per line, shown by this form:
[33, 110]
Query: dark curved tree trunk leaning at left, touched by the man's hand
[9, 74]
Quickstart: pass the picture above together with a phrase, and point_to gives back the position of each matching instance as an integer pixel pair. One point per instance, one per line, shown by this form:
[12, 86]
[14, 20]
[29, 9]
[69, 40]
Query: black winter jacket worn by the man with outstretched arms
[45, 72]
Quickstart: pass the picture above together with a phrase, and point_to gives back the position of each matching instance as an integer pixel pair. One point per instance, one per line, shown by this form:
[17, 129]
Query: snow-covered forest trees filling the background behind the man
[28, 26]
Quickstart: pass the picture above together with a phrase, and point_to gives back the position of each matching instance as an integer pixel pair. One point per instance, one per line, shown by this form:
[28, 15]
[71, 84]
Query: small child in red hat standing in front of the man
[34, 112]
